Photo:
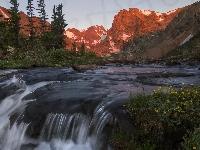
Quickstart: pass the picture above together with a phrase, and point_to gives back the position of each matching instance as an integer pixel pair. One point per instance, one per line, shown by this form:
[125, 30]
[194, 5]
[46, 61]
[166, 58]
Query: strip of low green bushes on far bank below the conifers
[42, 58]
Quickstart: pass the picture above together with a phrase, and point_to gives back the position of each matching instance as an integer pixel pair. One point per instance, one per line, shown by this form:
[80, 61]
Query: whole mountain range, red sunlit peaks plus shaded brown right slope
[135, 34]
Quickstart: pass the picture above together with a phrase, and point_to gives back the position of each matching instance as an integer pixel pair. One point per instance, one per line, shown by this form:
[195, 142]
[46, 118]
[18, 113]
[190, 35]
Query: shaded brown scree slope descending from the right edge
[170, 41]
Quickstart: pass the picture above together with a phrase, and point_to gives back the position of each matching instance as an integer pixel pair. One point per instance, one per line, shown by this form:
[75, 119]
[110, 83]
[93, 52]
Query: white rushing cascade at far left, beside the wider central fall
[11, 137]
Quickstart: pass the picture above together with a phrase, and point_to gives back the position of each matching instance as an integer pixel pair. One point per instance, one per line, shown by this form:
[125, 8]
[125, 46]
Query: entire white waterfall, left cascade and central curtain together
[60, 131]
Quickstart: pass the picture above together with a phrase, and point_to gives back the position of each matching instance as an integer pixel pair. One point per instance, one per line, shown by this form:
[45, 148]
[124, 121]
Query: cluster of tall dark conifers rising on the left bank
[50, 36]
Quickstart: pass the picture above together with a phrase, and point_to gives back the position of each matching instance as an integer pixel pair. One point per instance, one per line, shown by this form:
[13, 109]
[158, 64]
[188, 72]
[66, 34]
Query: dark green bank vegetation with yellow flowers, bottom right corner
[168, 119]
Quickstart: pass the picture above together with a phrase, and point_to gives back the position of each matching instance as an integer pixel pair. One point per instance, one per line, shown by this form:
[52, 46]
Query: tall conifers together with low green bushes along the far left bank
[42, 44]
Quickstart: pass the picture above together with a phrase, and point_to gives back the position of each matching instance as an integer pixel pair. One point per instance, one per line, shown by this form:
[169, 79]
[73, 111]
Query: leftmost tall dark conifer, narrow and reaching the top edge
[14, 24]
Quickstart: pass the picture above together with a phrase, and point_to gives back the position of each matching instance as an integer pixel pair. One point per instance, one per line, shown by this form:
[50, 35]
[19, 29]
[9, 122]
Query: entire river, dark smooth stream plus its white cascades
[59, 109]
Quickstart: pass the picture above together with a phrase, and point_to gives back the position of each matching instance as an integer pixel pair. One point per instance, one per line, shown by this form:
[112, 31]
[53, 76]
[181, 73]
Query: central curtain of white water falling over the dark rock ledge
[76, 131]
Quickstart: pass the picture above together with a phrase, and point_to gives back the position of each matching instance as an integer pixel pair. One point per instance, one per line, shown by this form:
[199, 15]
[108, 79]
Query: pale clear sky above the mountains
[81, 14]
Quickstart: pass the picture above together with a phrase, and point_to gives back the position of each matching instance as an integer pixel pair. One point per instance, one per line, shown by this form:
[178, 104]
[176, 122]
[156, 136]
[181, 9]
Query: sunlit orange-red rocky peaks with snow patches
[126, 25]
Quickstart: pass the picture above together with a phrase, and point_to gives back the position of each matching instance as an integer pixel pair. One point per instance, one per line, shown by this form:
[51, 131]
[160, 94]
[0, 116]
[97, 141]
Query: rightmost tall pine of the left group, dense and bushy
[58, 27]
